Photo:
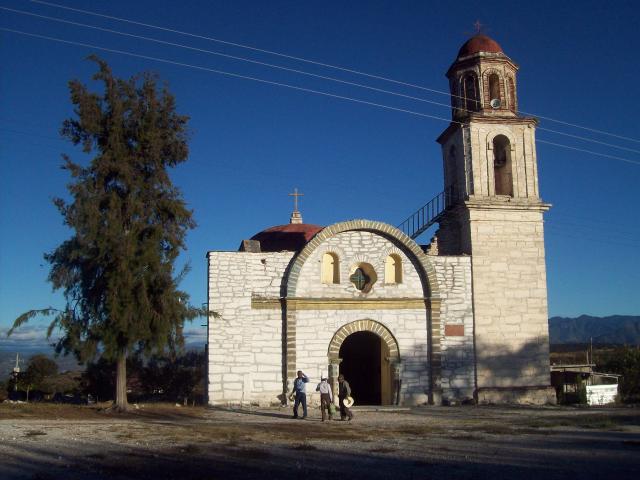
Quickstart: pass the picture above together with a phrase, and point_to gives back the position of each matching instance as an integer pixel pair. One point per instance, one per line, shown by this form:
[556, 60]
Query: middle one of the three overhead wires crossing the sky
[300, 72]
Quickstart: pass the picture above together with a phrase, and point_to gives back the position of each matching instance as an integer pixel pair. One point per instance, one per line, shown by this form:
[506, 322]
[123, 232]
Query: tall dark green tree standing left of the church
[129, 222]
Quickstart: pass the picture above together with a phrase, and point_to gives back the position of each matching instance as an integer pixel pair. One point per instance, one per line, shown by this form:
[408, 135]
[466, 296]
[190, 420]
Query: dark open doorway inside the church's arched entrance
[361, 366]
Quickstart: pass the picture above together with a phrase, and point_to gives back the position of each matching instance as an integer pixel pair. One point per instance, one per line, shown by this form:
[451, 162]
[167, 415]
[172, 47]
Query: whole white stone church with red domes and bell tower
[461, 319]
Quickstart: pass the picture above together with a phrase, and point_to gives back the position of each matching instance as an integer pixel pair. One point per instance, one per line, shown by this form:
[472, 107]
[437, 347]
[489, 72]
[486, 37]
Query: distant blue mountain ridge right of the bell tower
[616, 329]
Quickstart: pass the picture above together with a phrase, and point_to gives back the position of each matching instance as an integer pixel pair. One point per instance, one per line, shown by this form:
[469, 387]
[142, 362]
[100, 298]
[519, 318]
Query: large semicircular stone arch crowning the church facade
[412, 249]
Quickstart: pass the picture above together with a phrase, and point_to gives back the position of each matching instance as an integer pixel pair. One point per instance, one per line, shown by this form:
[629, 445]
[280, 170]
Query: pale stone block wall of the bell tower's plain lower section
[510, 297]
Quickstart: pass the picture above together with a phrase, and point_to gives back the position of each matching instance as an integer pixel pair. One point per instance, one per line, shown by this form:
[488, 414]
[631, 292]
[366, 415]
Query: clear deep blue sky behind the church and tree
[252, 143]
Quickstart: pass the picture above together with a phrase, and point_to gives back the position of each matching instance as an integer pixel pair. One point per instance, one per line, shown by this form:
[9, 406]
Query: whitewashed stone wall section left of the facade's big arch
[245, 344]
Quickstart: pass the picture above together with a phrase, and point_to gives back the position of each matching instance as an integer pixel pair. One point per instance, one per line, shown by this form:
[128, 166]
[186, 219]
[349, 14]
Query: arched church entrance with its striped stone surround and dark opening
[366, 353]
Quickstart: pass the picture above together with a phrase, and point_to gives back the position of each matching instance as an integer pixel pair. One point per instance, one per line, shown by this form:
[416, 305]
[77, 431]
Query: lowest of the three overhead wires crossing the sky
[280, 84]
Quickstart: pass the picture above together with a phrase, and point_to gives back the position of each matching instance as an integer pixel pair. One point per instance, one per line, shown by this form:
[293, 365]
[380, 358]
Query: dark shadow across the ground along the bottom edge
[585, 455]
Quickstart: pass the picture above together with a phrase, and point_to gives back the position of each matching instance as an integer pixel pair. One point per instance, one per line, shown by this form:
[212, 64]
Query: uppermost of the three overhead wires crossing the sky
[313, 62]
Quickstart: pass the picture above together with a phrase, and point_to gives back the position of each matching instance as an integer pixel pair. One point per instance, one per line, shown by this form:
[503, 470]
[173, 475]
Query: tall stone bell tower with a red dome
[490, 168]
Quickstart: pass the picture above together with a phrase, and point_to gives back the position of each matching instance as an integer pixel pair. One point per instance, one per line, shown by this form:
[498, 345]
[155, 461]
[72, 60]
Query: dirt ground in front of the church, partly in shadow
[167, 442]
